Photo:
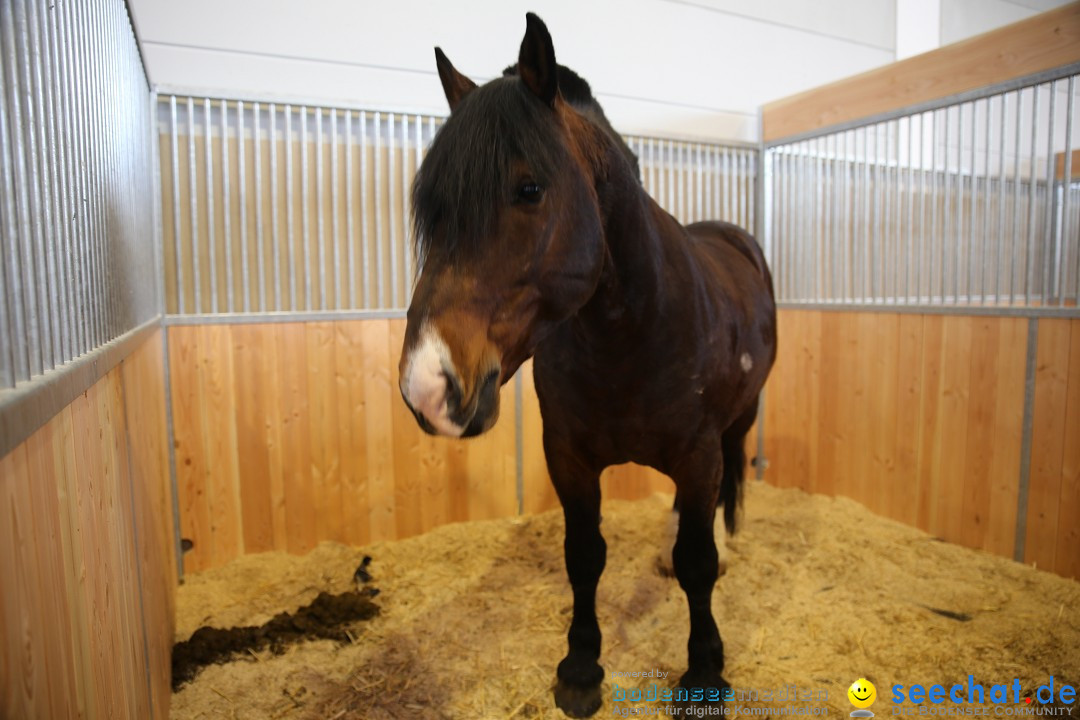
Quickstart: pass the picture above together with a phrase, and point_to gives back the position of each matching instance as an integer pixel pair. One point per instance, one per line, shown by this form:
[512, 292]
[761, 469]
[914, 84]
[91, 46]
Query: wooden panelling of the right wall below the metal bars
[921, 419]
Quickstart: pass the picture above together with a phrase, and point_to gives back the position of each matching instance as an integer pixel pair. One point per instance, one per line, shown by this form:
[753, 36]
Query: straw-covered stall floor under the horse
[474, 617]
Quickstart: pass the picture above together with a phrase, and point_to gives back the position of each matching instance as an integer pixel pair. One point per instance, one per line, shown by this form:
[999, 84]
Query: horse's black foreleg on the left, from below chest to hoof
[580, 675]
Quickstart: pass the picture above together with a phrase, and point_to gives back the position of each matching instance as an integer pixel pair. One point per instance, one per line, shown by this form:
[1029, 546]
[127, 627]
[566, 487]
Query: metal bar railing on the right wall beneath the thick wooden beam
[968, 202]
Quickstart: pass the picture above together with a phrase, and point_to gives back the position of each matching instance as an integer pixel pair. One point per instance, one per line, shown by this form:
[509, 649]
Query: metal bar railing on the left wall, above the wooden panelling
[76, 185]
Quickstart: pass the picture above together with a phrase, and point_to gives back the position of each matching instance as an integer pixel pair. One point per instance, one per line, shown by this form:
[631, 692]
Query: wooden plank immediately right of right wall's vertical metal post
[1048, 442]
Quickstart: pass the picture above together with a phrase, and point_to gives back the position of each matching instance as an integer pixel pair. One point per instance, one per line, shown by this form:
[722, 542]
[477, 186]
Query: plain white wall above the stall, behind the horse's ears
[696, 69]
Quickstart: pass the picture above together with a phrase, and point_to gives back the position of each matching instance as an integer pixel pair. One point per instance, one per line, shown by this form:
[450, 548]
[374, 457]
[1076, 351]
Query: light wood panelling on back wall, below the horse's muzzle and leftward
[314, 442]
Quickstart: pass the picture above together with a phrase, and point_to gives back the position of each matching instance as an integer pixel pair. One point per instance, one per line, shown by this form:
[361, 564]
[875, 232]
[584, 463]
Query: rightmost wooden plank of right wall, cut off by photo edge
[1068, 556]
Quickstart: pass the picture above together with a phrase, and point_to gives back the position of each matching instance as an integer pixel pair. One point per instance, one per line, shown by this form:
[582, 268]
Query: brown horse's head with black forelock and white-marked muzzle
[509, 235]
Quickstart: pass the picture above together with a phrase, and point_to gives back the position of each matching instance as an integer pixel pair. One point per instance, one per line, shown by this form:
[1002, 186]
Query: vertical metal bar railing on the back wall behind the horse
[310, 212]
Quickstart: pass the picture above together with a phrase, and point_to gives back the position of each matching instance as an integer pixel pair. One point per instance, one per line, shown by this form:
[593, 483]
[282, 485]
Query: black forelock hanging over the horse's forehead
[469, 172]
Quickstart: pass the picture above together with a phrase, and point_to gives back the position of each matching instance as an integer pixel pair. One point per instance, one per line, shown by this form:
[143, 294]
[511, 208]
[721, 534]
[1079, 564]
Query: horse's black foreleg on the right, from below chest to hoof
[696, 560]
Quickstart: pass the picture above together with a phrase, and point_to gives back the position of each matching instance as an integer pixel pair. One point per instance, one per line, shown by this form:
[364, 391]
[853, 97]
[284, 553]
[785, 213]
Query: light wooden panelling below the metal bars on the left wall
[87, 555]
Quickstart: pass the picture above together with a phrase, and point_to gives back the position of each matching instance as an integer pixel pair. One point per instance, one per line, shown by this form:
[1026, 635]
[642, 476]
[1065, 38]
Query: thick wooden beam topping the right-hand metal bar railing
[1044, 43]
